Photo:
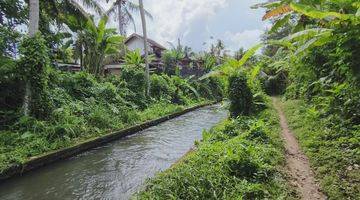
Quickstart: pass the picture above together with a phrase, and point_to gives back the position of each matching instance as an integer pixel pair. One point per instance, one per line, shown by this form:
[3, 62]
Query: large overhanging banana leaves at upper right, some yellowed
[325, 14]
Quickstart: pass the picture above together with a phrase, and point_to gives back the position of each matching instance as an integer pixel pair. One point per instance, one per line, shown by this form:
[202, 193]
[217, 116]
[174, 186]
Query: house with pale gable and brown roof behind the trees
[136, 42]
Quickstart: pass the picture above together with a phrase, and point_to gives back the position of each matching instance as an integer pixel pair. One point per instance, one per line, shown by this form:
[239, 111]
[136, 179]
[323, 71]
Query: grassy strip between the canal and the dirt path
[238, 159]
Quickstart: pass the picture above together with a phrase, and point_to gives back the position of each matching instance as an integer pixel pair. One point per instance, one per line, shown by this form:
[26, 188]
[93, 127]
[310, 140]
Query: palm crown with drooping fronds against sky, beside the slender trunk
[124, 8]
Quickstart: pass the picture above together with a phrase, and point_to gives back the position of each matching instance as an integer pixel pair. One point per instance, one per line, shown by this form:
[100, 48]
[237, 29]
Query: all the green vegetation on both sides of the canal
[310, 56]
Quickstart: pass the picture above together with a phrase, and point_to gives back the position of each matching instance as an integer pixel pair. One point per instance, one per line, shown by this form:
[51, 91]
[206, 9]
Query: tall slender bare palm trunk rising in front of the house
[147, 70]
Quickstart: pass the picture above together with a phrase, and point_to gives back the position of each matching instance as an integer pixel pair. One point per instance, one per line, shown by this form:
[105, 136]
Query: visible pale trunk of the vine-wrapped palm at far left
[33, 28]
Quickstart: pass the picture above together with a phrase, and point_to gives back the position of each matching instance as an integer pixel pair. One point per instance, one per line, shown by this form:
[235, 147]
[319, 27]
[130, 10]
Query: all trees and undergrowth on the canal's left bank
[44, 109]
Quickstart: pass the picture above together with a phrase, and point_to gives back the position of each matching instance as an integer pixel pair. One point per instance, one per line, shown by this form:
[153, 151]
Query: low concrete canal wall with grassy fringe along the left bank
[150, 117]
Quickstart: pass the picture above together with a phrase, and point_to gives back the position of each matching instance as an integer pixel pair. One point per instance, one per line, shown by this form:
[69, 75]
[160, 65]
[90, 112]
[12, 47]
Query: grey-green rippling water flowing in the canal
[118, 169]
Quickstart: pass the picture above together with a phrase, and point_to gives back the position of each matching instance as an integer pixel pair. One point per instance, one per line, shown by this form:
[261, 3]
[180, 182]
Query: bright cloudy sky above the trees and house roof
[198, 23]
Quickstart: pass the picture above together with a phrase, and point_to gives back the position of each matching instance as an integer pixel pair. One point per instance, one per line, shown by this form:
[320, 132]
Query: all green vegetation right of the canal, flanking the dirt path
[325, 116]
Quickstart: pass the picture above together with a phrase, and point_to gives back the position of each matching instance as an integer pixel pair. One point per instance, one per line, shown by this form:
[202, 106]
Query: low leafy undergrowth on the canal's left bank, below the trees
[81, 107]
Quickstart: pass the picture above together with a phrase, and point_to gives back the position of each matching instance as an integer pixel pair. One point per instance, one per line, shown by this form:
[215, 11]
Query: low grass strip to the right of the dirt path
[333, 150]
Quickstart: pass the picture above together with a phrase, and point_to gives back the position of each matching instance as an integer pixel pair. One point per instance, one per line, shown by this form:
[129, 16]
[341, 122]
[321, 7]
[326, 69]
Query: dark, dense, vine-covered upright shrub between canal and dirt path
[240, 95]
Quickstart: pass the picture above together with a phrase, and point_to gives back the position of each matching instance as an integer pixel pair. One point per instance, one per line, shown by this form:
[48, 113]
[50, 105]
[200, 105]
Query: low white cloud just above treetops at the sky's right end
[245, 39]
